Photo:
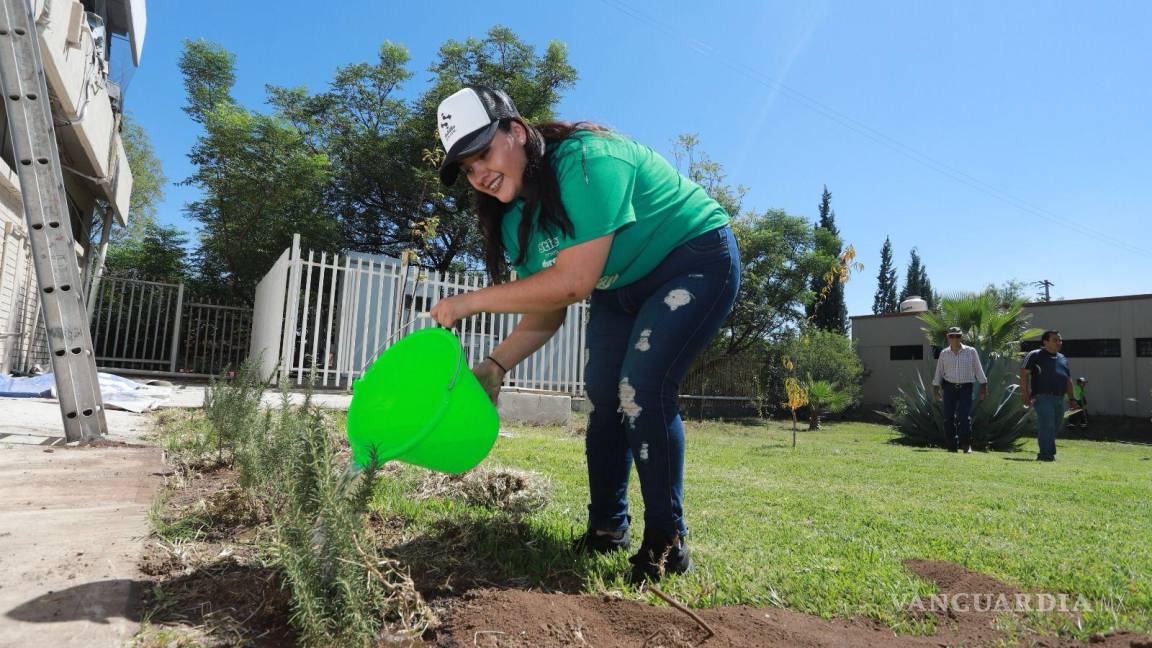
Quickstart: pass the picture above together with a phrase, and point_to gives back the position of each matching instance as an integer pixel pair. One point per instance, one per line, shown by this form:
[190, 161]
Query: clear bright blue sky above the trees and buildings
[1004, 140]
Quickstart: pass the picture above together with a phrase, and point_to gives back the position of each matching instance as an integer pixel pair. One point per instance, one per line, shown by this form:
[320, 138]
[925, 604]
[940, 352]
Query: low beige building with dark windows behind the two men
[1109, 341]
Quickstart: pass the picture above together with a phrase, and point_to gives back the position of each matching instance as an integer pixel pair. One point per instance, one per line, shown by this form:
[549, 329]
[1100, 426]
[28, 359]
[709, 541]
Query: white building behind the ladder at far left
[77, 46]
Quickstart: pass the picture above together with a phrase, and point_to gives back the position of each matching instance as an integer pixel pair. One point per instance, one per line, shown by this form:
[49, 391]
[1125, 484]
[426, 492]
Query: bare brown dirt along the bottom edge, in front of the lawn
[510, 619]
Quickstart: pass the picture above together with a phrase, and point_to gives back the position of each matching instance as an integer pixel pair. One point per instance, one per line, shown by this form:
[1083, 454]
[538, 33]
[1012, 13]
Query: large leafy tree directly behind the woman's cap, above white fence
[384, 149]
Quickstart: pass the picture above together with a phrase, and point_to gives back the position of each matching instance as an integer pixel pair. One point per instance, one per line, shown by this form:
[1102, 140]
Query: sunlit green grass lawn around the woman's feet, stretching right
[824, 528]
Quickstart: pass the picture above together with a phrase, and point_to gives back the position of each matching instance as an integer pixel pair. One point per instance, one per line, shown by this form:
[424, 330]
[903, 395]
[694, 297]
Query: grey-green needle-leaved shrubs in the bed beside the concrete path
[344, 593]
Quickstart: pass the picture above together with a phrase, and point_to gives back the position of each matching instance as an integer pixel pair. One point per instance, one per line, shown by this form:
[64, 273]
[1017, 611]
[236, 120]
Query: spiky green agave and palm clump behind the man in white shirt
[998, 421]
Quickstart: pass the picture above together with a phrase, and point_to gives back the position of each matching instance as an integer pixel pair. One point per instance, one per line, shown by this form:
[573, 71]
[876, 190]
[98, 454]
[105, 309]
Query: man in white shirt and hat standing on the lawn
[958, 368]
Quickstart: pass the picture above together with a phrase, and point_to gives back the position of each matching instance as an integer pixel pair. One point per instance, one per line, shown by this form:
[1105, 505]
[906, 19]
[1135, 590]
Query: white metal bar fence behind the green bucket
[334, 314]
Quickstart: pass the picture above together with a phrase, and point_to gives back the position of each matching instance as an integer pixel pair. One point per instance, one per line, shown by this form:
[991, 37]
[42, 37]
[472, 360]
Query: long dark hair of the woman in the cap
[543, 208]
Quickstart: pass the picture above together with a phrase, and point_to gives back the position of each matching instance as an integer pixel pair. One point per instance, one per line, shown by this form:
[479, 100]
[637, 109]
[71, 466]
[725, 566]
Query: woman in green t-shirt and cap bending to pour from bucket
[585, 213]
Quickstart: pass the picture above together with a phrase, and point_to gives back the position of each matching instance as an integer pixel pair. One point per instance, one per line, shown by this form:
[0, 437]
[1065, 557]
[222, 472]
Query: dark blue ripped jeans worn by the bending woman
[642, 338]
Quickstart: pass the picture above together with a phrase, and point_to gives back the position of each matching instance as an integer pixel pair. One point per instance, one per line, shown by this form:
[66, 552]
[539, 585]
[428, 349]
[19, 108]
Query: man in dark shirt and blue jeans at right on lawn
[1045, 383]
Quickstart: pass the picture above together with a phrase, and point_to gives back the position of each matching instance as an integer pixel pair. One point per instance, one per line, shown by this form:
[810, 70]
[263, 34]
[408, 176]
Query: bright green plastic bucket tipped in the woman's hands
[421, 404]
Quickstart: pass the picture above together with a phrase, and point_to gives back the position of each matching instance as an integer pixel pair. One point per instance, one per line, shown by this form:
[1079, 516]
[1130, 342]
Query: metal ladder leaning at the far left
[42, 189]
